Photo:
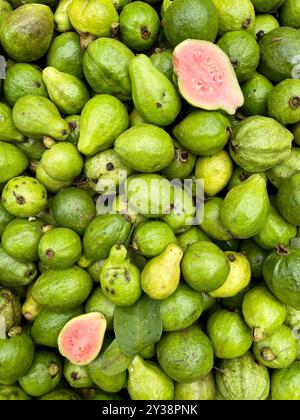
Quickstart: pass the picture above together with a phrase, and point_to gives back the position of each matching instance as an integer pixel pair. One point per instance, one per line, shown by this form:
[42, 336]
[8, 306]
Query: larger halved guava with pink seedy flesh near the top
[205, 76]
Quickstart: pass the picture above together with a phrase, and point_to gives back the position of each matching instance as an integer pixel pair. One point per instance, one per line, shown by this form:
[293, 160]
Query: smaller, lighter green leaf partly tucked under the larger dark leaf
[113, 361]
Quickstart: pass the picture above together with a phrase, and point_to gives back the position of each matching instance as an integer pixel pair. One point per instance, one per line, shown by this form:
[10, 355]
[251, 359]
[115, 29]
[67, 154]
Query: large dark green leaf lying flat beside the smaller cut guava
[137, 326]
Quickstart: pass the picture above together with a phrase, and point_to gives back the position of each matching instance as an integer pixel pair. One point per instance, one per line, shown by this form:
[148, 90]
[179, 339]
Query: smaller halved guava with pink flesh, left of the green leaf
[80, 340]
